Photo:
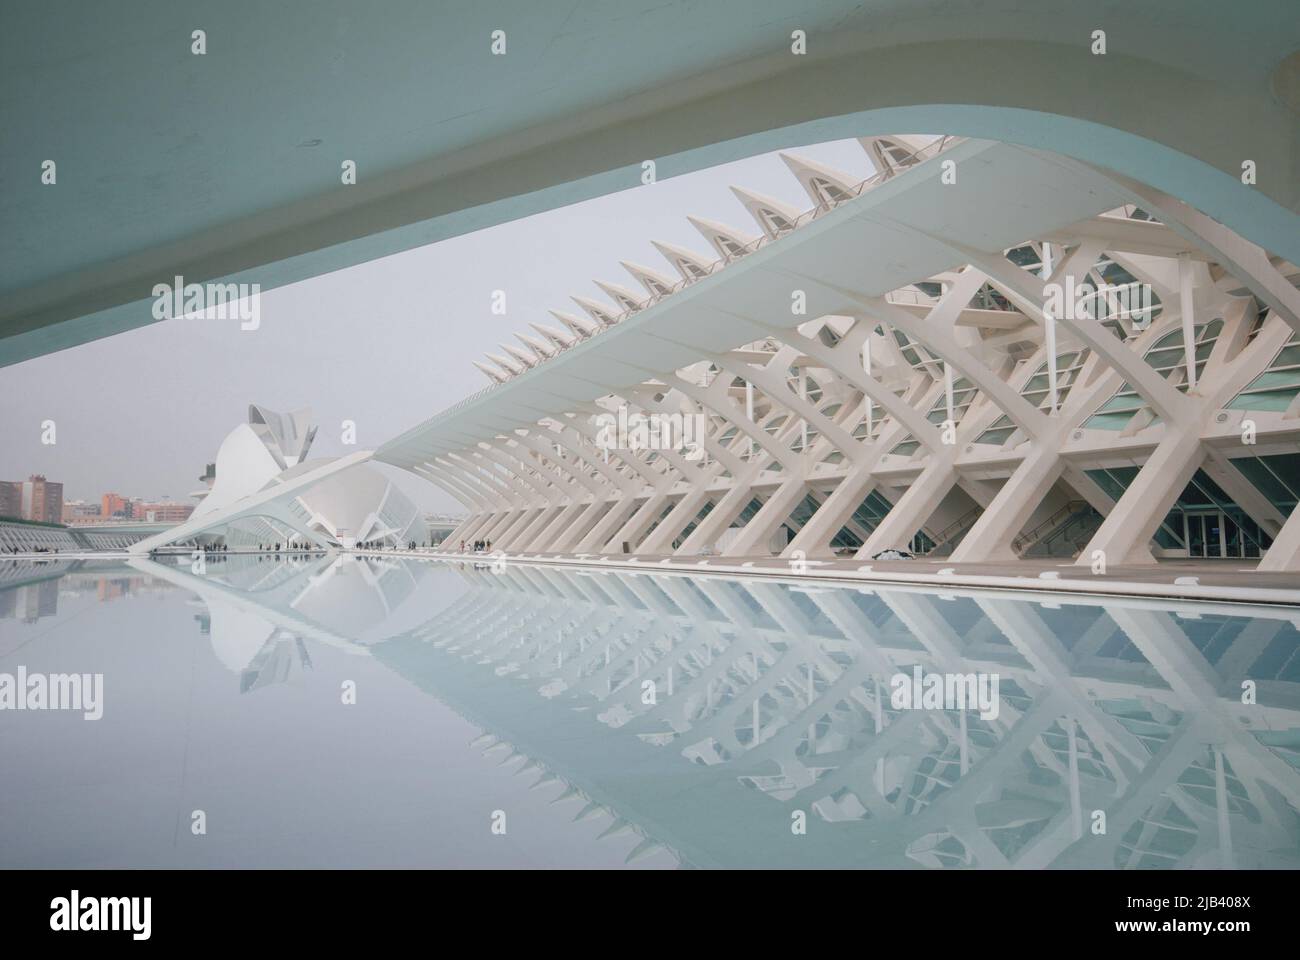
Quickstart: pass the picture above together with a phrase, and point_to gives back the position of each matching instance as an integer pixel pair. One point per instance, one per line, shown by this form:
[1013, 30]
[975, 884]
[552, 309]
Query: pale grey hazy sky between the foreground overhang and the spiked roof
[387, 344]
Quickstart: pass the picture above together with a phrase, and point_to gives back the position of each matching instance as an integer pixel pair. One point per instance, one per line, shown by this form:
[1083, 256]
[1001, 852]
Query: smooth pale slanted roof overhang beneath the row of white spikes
[904, 230]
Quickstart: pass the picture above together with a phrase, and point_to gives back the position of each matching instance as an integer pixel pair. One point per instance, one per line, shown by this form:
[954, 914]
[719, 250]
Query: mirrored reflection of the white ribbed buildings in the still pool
[705, 715]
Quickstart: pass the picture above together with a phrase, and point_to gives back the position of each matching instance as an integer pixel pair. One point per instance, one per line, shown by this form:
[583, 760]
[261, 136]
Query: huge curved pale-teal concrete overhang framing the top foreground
[227, 167]
